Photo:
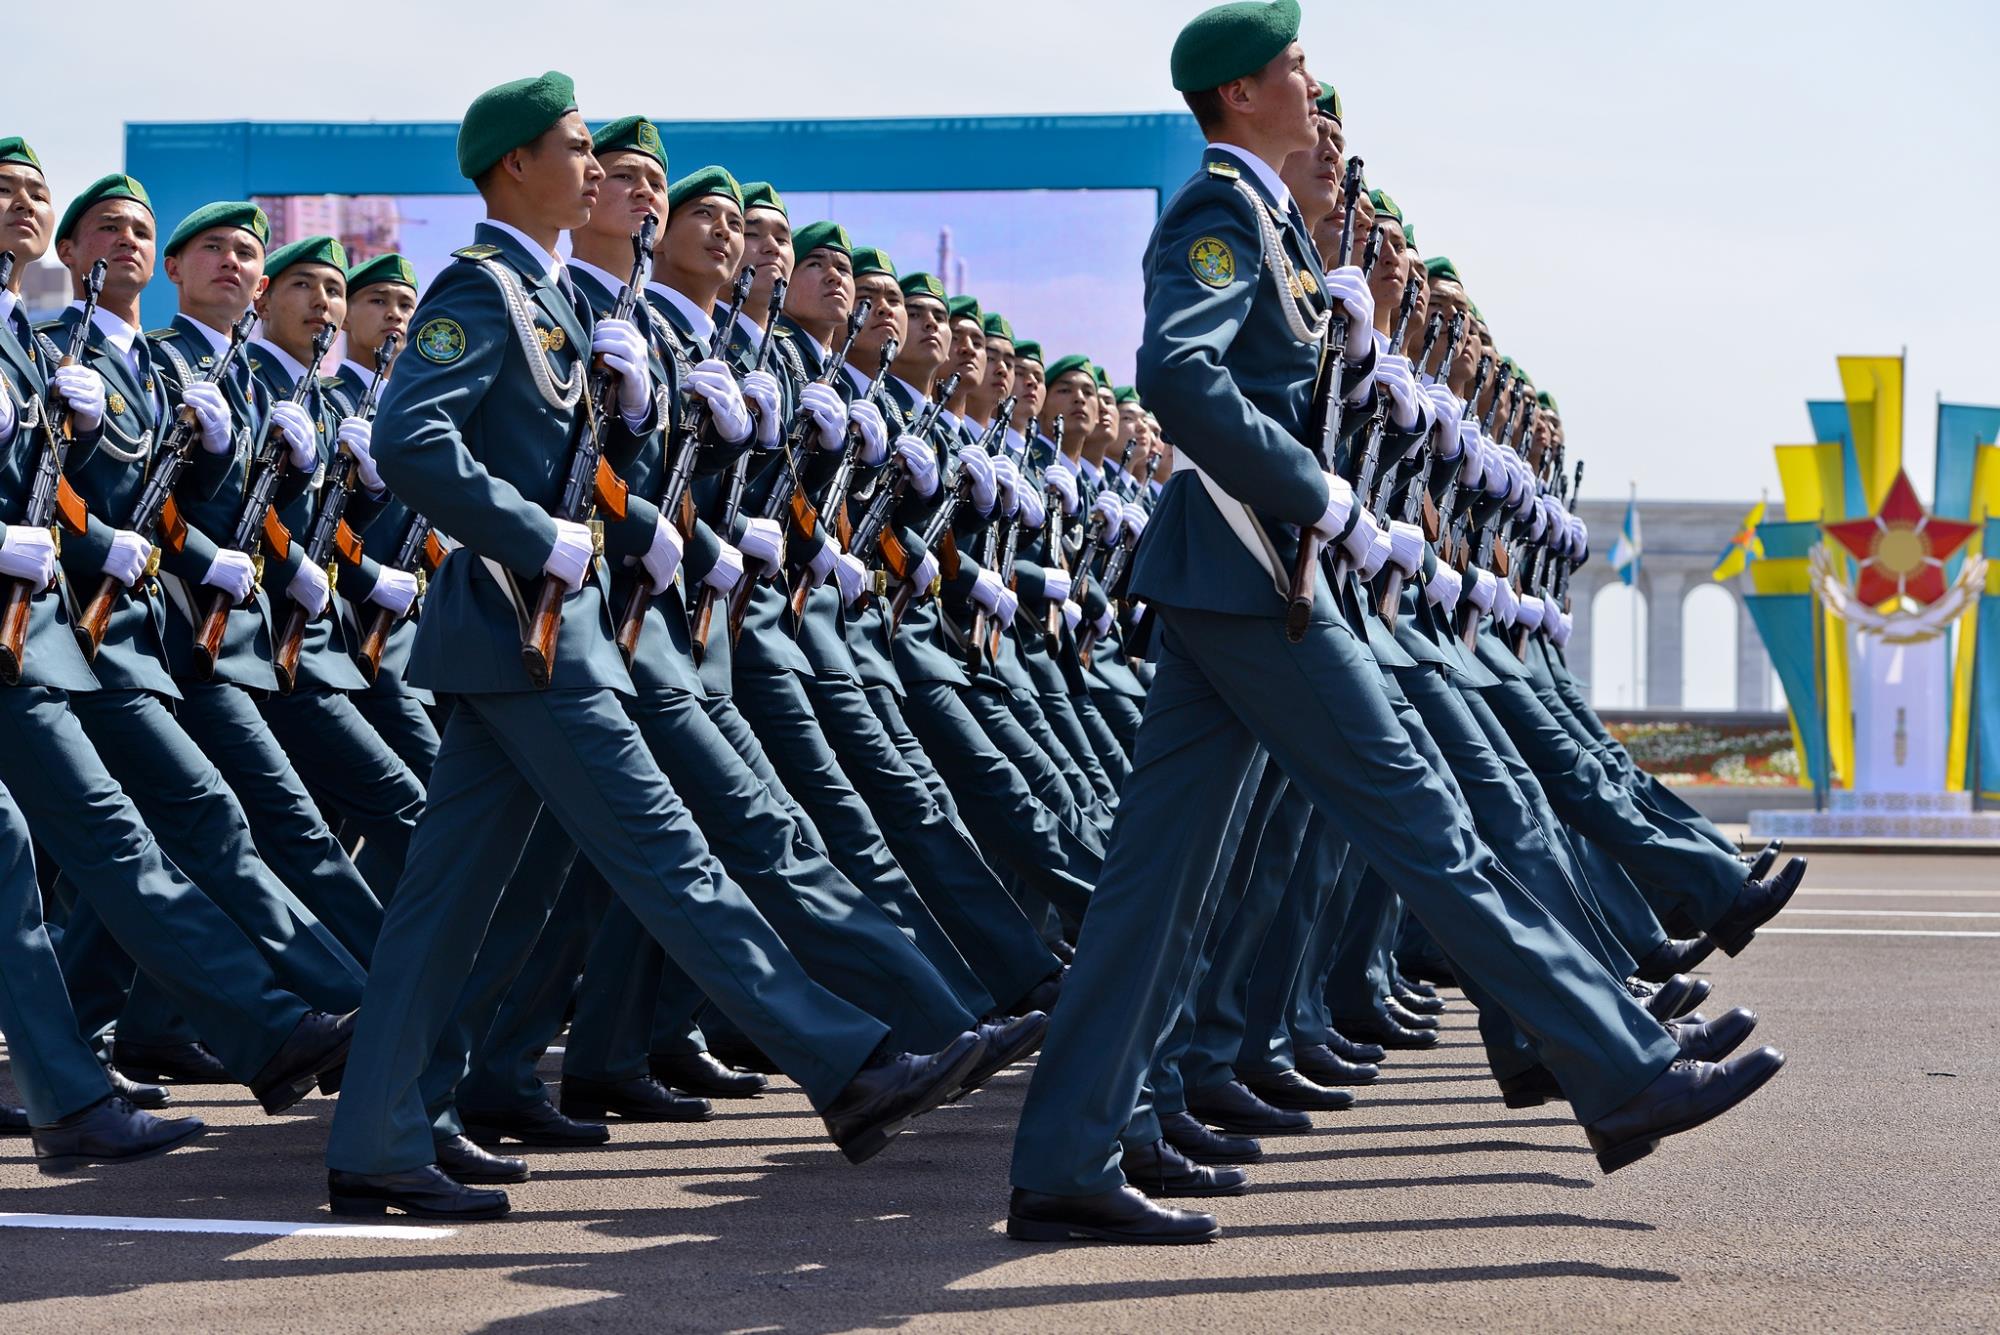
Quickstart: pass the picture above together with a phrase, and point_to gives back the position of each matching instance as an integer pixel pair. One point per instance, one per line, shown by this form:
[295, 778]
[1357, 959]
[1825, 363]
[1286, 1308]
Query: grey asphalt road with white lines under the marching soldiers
[1857, 1192]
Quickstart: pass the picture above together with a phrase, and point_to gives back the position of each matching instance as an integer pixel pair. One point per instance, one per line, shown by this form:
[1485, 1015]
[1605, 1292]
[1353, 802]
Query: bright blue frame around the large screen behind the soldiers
[187, 165]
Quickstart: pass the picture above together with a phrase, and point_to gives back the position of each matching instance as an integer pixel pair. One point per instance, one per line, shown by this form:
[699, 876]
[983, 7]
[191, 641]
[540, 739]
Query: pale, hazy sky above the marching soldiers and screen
[1675, 217]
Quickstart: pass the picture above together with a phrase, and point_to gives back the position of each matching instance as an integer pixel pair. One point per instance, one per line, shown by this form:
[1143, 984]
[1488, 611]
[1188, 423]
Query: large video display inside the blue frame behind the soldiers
[1061, 265]
